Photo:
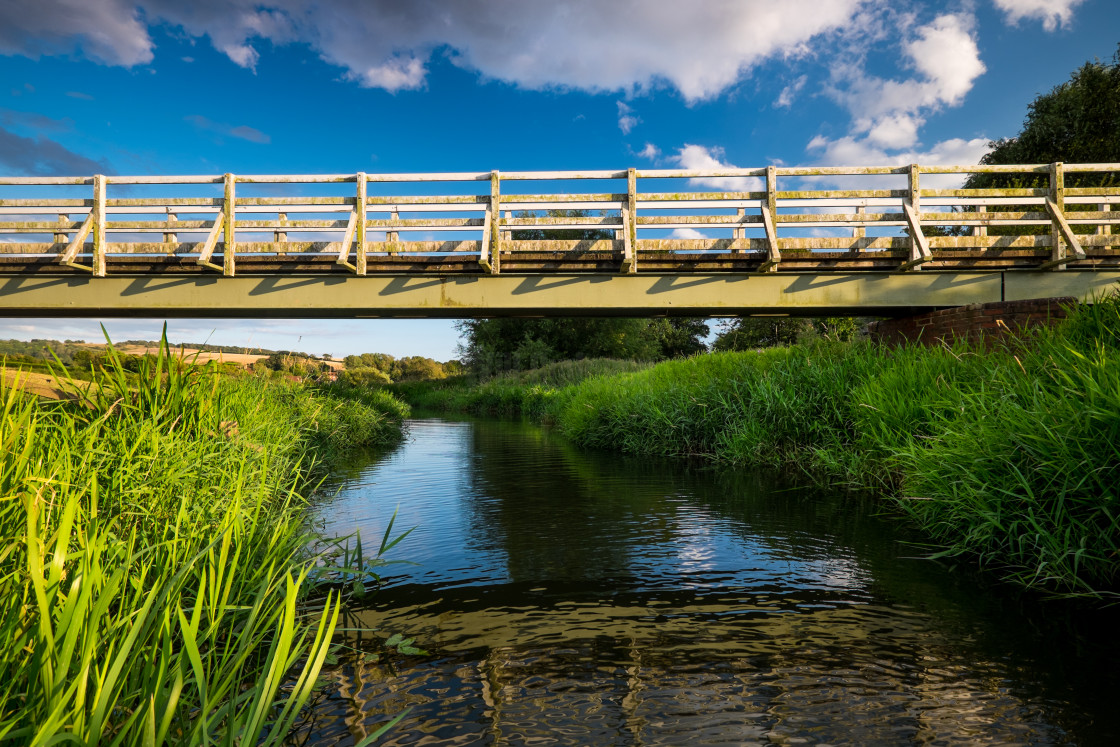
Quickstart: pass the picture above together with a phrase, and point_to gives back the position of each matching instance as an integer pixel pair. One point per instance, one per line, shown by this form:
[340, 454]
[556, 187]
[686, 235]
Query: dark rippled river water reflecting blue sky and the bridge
[580, 599]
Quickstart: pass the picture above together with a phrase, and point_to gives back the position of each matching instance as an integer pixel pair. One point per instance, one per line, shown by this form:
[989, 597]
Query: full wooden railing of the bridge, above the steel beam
[764, 220]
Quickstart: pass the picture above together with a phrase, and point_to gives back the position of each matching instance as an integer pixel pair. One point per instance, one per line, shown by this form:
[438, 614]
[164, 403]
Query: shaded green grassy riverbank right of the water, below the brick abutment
[1010, 455]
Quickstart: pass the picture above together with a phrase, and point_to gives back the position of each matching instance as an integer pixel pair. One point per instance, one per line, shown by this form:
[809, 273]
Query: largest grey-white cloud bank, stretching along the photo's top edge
[701, 49]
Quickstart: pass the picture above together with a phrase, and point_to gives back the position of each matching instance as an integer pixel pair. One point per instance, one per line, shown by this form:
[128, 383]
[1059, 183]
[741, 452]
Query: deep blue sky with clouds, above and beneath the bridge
[307, 87]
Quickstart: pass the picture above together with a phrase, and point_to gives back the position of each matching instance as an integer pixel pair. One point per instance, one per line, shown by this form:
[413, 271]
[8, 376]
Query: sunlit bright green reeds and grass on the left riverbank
[156, 578]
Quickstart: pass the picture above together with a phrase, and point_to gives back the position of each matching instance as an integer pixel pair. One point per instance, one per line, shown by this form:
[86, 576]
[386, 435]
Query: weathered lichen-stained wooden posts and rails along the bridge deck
[744, 200]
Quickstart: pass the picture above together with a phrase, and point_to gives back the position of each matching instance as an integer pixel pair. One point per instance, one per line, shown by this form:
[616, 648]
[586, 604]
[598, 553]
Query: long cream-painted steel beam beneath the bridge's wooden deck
[531, 295]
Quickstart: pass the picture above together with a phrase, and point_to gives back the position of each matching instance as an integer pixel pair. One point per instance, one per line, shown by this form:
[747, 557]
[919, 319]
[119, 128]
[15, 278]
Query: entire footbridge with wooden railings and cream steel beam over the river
[805, 241]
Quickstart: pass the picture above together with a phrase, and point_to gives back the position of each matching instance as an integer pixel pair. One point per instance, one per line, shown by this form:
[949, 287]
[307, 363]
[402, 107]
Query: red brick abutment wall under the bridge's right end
[974, 322]
